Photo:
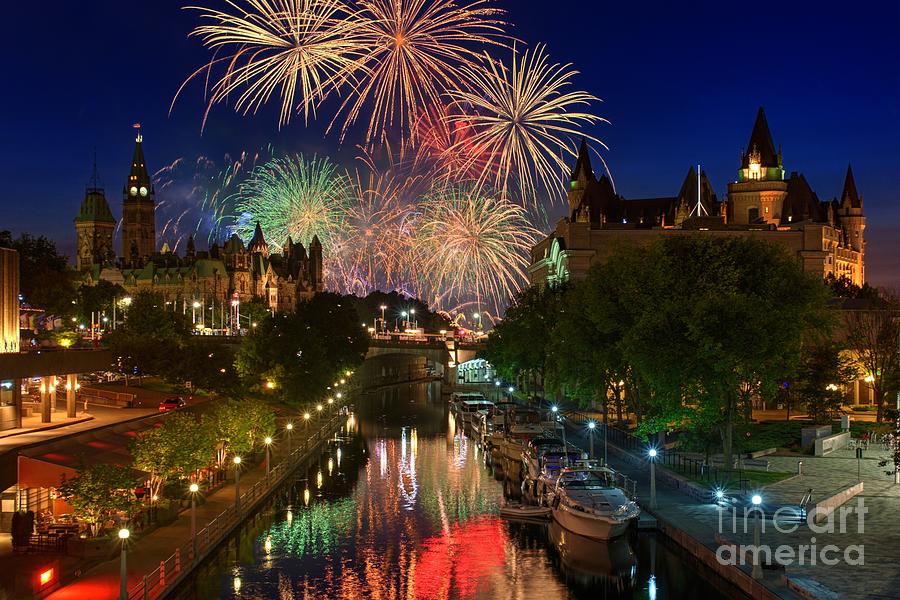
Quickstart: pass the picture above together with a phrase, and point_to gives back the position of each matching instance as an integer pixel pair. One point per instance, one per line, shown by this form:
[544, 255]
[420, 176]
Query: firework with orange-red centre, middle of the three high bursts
[415, 50]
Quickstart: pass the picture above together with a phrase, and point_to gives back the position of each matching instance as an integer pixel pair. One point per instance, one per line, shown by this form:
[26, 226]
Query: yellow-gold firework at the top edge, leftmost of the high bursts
[297, 50]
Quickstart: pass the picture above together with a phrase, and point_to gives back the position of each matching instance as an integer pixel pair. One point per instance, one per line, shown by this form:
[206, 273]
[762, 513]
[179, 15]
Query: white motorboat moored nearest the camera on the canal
[587, 502]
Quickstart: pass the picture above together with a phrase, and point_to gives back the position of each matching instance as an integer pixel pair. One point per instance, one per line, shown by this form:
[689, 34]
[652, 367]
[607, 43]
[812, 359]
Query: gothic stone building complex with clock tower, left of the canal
[206, 279]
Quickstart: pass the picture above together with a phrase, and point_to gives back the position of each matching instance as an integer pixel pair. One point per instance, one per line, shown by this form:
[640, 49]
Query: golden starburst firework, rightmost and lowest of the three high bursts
[522, 116]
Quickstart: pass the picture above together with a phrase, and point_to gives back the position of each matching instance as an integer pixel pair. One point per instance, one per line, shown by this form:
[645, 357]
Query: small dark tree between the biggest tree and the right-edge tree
[824, 374]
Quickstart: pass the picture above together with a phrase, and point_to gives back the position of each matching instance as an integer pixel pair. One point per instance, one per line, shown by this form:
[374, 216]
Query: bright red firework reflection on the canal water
[460, 558]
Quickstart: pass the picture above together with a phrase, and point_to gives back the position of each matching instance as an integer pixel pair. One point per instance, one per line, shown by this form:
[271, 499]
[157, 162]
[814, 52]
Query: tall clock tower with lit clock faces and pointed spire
[138, 206]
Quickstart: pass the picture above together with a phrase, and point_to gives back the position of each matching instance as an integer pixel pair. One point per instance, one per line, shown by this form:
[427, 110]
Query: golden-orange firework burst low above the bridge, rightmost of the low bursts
[471, 245]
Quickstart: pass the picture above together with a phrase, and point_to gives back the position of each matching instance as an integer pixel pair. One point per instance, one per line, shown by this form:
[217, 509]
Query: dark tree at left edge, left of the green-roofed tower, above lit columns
[45, 281]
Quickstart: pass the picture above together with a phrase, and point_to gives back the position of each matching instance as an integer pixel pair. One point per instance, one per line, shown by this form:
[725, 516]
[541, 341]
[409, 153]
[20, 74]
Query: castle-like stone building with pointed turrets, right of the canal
[764, 203]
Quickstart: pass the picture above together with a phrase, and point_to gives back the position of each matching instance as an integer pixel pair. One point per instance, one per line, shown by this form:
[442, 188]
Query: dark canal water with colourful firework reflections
[404, 506]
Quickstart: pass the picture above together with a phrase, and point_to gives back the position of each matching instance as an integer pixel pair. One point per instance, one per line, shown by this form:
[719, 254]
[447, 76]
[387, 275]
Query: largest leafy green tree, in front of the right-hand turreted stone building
[717, 322]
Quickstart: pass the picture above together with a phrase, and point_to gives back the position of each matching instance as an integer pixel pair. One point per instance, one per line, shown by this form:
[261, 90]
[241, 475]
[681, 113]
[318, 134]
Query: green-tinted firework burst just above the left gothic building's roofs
[298, 197]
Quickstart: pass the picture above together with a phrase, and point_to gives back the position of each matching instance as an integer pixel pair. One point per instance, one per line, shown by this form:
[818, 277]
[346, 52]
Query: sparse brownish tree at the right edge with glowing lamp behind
[873, 334]
